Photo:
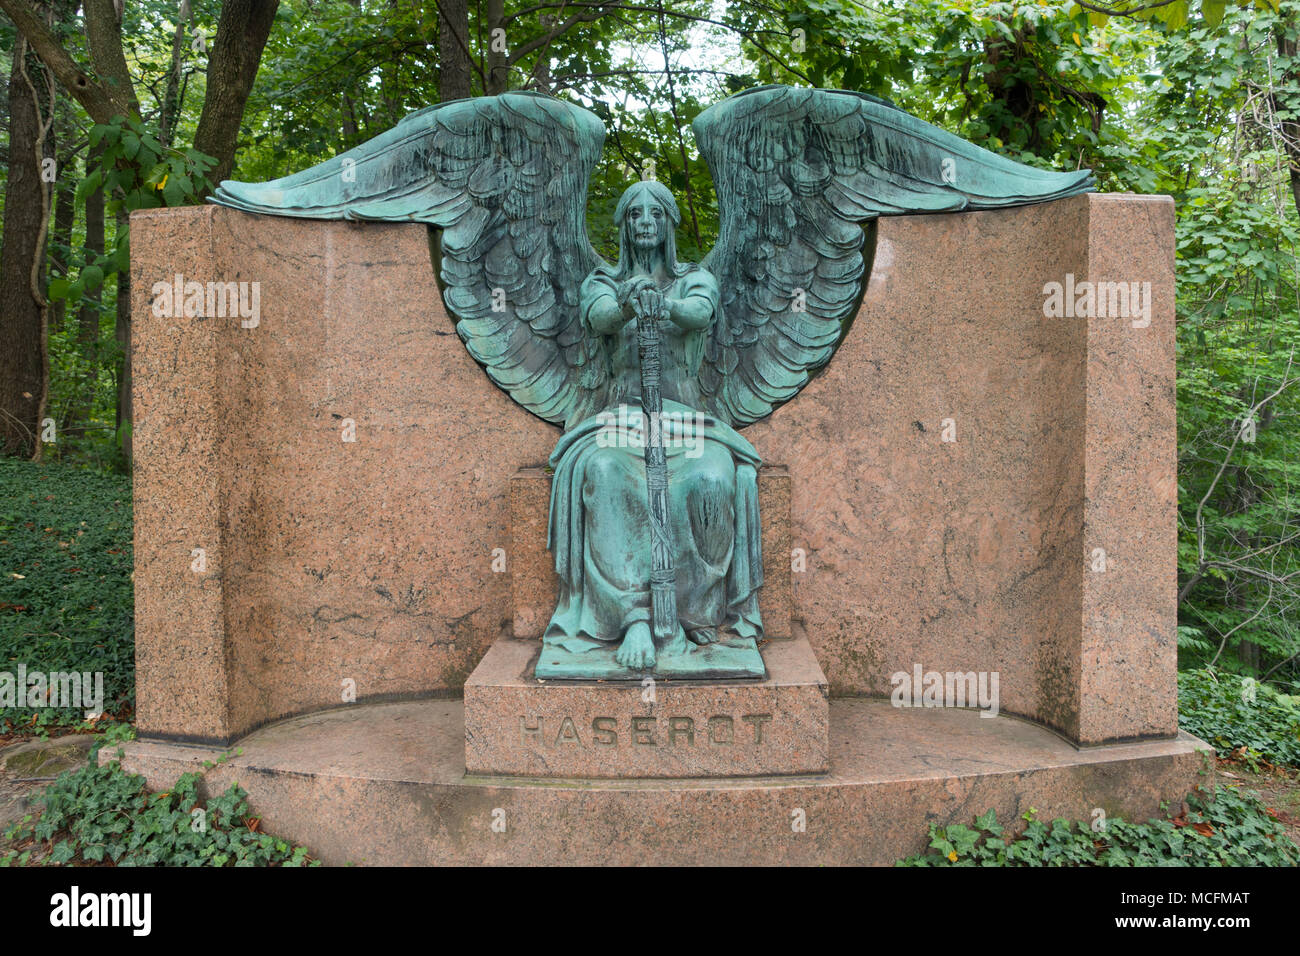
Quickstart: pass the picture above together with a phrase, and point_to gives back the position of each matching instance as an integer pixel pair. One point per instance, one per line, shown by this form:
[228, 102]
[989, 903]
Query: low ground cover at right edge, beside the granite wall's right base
[1233, 713]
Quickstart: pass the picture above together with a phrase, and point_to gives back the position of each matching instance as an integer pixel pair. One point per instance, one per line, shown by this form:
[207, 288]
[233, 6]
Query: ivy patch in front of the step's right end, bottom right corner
[1227, 828]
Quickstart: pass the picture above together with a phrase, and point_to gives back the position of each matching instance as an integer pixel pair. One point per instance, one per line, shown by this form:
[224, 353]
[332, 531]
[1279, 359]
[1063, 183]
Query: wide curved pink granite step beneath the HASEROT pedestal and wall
[387, 785]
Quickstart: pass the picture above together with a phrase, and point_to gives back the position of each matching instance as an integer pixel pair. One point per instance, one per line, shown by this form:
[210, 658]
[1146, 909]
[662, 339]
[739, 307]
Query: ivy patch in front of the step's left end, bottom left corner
[103, 815]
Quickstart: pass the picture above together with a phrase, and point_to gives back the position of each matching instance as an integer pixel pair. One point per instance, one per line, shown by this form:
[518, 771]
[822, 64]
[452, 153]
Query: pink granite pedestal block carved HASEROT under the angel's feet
[518, 725]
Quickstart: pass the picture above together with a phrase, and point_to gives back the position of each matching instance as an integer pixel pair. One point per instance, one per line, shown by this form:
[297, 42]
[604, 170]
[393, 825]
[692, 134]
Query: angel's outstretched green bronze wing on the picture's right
[798, 175]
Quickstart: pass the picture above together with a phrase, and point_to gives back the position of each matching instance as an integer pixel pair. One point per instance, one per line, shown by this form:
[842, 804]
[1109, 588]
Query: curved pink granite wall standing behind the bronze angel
[336, 569]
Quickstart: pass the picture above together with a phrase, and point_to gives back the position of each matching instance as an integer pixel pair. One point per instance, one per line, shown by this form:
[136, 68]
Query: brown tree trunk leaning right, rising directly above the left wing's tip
[233, 63]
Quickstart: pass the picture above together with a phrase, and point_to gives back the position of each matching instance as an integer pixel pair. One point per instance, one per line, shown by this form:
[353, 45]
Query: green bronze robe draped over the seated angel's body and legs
[600, 522]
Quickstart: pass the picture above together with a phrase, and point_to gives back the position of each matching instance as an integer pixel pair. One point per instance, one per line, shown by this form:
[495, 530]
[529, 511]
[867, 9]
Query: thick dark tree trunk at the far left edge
[23, 361]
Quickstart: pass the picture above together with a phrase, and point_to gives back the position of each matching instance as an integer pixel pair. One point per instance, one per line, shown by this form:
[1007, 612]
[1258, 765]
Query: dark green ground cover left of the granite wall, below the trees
[66, 582]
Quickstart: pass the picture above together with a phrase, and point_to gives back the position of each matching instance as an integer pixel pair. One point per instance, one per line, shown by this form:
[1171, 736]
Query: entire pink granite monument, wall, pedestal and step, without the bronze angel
[340, 570]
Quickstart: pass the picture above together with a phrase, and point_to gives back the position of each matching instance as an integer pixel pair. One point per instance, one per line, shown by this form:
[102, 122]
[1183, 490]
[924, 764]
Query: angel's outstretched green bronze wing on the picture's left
[506, 180]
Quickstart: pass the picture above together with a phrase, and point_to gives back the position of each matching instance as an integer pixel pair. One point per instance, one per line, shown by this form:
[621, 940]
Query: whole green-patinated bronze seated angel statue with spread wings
[652, 365]
